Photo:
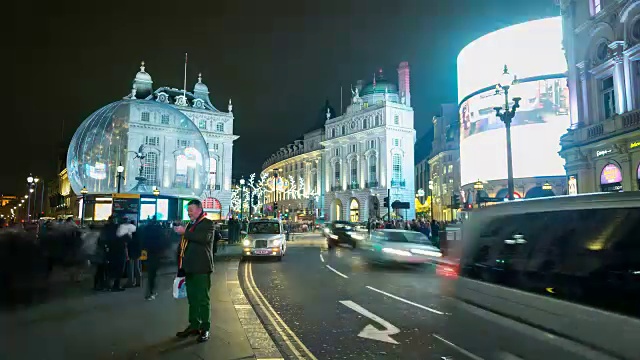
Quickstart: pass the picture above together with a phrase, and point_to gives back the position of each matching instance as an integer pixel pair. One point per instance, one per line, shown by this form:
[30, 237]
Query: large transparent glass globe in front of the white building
[158, 147]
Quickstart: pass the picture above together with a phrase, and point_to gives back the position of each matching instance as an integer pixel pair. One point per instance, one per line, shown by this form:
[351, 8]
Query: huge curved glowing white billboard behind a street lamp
[533, 52]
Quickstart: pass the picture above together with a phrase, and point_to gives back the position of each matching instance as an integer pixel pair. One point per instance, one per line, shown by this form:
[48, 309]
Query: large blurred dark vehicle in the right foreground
[550, 278]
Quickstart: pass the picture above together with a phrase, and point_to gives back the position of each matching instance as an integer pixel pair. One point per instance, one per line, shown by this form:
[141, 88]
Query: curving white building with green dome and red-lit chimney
[359, 155]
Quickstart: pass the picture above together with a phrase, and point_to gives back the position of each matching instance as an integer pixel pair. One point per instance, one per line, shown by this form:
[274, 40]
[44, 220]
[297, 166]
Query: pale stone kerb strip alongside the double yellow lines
[261, 343]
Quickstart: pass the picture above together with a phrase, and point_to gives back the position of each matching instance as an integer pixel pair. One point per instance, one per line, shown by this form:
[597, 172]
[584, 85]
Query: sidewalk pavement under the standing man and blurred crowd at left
[125, 326]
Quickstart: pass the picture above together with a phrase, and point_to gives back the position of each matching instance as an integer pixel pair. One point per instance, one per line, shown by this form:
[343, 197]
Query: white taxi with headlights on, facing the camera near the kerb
[264, 238]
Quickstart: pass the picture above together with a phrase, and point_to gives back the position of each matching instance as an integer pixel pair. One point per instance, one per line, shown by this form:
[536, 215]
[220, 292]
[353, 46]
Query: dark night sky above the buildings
[278, 61]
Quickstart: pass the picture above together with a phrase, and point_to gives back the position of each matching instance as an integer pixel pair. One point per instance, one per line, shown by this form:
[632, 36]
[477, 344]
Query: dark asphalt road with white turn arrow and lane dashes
[354, 311]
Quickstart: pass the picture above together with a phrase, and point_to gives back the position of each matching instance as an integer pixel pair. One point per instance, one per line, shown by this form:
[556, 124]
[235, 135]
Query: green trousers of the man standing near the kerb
[198, 286]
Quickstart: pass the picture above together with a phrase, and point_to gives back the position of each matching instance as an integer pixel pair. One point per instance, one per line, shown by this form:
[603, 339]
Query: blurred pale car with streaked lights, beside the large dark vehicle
[400, 246]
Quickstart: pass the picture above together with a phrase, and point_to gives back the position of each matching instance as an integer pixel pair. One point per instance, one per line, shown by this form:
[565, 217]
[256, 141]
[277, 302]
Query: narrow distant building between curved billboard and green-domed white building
[444, 163]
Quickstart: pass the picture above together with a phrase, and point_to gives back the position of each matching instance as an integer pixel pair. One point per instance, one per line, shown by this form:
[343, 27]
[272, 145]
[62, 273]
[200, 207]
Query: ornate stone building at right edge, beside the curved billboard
[602, 147]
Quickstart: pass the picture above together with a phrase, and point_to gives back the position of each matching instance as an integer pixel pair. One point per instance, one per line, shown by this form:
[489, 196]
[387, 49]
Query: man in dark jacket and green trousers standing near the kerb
[196, 252]
